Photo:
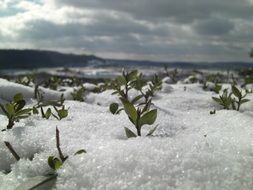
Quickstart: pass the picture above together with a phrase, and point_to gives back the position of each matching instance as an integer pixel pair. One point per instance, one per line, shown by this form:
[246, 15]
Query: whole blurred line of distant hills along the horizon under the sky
[32, 59]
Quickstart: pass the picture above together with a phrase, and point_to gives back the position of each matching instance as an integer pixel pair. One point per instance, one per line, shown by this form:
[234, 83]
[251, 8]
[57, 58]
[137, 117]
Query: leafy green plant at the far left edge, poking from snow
[15, 111]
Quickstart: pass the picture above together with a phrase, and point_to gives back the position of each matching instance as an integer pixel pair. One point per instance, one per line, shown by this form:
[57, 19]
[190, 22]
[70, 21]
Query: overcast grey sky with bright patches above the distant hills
[164, 30]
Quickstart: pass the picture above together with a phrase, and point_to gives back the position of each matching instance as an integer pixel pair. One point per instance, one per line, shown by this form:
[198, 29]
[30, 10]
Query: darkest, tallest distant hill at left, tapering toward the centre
[30, 59]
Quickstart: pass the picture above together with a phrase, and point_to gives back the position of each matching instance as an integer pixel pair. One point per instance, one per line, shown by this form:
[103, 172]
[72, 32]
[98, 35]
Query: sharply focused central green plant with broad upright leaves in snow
[139, 117]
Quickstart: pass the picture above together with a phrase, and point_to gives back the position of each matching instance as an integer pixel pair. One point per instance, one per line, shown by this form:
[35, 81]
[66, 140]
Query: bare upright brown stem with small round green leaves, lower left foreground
[56, 162]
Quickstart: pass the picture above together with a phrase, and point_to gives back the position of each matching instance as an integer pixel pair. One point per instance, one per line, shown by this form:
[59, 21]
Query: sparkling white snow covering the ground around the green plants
[191, 149]
